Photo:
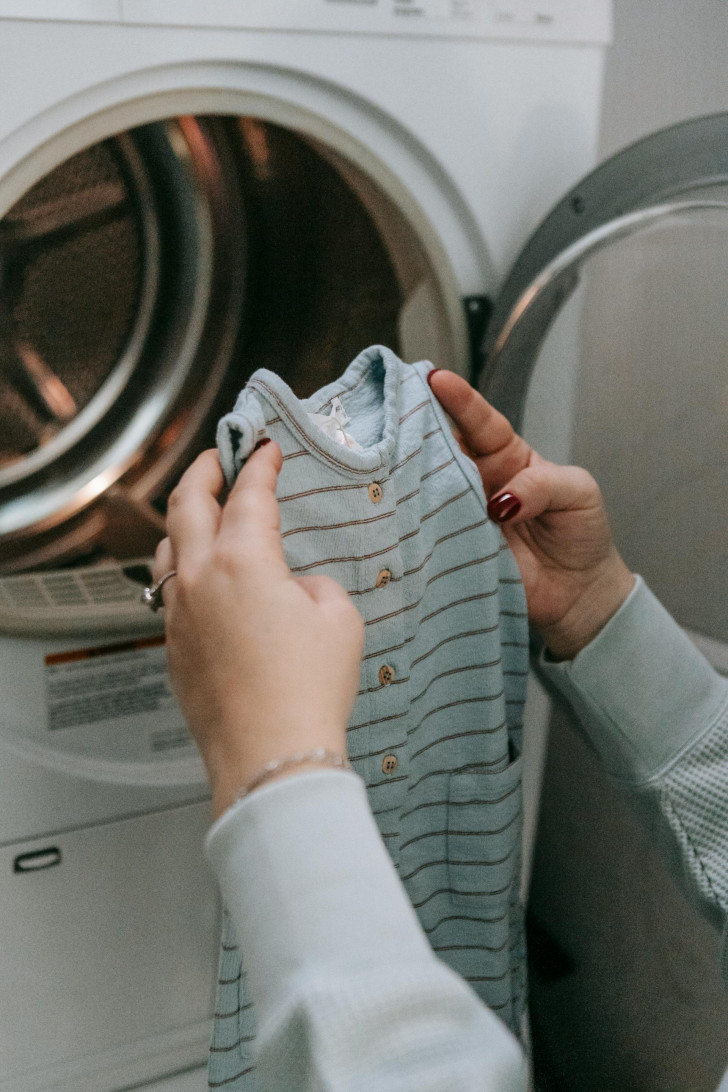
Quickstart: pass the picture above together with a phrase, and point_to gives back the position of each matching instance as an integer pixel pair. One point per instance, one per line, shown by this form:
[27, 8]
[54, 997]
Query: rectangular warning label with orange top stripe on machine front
[92, 686]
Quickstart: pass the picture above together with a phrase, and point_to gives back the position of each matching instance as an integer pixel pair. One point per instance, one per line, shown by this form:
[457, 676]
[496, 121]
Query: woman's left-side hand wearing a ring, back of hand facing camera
[265, 664]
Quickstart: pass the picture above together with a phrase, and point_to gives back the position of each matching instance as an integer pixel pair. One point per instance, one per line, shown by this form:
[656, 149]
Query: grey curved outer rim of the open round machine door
[646, 183]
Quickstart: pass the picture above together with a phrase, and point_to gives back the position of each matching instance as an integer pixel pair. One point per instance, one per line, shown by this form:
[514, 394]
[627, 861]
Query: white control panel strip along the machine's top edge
[548, 20]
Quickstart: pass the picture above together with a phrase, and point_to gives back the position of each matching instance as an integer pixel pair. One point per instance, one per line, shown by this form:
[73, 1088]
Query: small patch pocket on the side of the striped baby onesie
[484, 836]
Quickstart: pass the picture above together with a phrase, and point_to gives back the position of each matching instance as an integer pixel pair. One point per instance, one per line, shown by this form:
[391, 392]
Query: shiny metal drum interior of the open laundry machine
[141, 282]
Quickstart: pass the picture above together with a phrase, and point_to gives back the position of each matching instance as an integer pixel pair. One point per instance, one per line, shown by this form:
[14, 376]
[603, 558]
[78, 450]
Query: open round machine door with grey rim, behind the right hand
[607, 349]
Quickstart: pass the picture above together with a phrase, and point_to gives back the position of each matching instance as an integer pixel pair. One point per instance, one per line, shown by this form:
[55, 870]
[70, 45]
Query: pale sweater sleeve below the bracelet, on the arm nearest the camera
[349, 993]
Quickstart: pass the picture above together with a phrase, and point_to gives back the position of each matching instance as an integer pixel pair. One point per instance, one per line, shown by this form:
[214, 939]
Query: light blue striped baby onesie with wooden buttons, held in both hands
[399, 519]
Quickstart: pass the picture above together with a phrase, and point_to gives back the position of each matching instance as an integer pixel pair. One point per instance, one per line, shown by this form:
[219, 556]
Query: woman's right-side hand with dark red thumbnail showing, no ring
[553, 517]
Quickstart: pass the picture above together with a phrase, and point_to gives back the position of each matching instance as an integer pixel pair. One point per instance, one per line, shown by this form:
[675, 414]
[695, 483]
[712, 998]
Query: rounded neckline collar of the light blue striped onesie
[295, 412]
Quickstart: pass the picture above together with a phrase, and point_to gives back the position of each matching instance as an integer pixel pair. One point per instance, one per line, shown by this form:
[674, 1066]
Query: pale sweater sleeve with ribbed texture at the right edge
[658, 715]
